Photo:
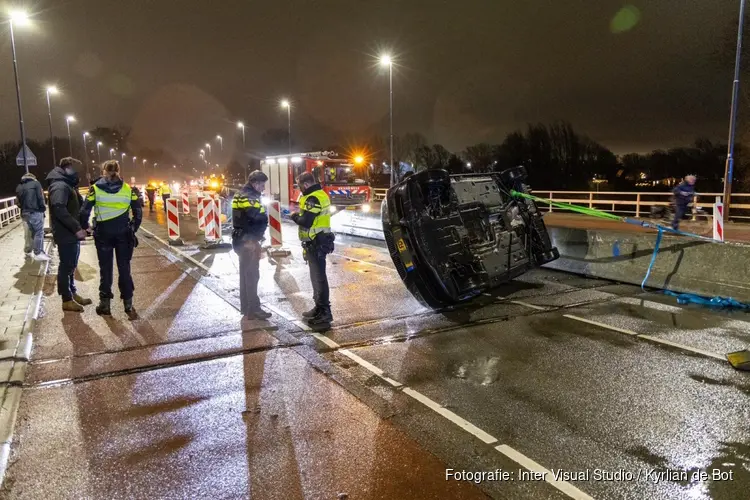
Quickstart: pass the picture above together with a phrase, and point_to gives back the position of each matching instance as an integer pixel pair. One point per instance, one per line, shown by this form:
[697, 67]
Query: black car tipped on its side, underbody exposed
[452, 237]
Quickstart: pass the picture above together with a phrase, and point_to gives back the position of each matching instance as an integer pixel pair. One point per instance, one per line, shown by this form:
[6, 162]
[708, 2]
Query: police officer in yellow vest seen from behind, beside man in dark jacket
[114, 234]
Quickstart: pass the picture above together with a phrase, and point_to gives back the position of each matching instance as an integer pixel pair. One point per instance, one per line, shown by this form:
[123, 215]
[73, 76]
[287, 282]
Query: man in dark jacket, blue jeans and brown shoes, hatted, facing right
[65, 209]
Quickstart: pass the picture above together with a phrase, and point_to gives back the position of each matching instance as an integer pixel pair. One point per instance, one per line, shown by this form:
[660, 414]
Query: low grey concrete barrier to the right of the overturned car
[683, 264]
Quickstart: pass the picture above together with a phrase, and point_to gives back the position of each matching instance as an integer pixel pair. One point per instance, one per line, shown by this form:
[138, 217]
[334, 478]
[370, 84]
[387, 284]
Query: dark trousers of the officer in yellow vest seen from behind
[109, 247]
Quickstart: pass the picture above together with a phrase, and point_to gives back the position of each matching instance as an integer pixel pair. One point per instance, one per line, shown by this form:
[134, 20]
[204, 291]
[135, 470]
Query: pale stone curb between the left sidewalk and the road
[11, 389]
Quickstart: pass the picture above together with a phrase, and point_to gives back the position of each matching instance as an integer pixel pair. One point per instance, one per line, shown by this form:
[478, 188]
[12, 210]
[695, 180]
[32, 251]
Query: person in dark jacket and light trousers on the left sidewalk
[31, 202]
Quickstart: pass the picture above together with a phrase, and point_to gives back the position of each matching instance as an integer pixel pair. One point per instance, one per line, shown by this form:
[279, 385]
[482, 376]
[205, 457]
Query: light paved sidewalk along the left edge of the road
[20, 292]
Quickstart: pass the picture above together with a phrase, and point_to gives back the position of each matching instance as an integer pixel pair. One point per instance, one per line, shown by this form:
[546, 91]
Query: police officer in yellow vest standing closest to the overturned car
[314, 221]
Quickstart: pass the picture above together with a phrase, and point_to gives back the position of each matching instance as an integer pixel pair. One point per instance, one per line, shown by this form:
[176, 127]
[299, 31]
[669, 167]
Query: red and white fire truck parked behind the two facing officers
[339, 178]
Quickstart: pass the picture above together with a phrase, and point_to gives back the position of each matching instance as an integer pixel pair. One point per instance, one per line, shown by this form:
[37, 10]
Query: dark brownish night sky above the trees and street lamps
[181, 71]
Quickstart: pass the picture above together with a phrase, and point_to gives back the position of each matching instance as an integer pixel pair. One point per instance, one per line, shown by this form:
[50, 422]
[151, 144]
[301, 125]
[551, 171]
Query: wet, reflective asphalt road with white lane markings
[190, 401]
